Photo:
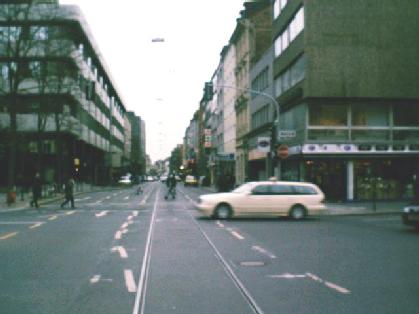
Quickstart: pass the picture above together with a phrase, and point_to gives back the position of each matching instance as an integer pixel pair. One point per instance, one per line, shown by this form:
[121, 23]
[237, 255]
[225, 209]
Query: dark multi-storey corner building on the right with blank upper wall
[346, 76]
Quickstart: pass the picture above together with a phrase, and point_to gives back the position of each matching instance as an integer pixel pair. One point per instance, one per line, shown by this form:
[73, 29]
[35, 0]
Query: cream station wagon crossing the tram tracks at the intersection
[265, 198]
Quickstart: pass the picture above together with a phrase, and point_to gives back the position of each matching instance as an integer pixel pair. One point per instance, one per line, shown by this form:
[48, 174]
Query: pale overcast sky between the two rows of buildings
[161, 82]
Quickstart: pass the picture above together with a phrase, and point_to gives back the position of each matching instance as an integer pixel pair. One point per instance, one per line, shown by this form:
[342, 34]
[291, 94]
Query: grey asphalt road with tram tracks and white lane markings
[119, 252]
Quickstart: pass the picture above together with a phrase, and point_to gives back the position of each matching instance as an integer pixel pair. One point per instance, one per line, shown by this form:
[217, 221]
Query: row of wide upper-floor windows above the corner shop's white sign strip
[360, 115]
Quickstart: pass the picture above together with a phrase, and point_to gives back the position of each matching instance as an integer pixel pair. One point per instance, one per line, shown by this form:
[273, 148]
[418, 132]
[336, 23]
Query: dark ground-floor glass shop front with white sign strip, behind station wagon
[346, 174]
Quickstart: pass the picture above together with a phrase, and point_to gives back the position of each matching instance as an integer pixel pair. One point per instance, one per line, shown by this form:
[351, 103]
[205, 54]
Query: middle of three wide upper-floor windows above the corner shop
[370, 115]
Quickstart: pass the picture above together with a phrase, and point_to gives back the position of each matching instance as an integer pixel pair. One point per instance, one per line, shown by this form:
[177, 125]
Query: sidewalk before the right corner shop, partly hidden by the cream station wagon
[355, 207]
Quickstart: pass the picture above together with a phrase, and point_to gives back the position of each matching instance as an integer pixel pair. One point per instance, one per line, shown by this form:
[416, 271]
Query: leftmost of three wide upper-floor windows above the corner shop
[328, 115]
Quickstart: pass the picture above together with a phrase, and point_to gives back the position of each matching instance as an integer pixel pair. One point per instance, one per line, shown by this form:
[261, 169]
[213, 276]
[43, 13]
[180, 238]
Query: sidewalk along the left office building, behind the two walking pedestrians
[27, 197]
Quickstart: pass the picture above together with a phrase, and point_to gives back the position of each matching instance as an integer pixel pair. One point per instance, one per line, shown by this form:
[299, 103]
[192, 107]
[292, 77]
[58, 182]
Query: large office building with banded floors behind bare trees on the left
[60, 112]
